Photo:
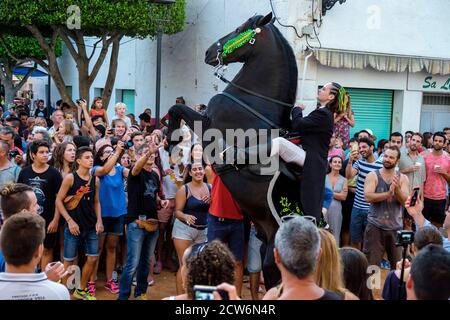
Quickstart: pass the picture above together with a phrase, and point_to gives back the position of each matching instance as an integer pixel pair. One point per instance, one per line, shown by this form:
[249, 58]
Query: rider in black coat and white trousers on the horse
[316, 130]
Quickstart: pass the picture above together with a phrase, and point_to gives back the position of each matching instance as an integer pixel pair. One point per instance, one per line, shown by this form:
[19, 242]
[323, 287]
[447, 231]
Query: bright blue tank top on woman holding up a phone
[112, 195]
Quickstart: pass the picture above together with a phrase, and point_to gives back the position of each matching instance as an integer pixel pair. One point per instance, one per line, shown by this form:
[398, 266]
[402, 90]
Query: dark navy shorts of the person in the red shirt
[230, 232]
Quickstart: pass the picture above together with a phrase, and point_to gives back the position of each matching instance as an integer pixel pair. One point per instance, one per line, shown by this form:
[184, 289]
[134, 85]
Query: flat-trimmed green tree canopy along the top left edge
[134, 18]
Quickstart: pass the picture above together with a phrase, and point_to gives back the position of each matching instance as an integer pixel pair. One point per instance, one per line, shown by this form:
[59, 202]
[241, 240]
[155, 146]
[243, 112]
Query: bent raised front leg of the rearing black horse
[180, 112]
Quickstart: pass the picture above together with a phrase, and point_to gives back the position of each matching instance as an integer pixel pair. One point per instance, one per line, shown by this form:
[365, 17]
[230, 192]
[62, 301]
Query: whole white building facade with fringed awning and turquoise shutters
[392, 56]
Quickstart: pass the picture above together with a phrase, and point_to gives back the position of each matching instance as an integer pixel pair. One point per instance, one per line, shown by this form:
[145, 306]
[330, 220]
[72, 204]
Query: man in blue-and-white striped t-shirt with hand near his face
[367, 163]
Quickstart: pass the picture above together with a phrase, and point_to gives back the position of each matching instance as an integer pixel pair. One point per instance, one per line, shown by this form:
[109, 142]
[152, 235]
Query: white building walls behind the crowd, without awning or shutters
[414, 27]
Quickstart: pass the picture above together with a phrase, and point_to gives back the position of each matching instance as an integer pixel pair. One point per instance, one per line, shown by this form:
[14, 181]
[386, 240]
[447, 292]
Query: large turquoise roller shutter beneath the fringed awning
[373, 110]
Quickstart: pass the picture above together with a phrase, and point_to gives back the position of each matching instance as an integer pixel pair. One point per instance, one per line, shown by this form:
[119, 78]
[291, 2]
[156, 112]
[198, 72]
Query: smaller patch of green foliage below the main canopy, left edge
[24, 48]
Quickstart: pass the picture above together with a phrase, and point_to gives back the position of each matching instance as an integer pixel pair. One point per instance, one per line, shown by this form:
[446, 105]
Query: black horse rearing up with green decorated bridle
[261, 96]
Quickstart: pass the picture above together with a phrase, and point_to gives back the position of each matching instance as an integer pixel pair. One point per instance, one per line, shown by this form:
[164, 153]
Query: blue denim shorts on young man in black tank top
[71, 243]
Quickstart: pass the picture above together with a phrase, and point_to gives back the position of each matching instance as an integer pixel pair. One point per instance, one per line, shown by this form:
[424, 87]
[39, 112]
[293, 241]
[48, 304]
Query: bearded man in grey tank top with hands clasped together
[386, 191]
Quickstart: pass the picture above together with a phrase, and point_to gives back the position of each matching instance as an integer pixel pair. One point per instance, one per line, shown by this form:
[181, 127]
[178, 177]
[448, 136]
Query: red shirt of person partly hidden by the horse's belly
[222, 203]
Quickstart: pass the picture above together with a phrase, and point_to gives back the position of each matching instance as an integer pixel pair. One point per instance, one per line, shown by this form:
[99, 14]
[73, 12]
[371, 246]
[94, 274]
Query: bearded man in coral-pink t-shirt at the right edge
[437, 164]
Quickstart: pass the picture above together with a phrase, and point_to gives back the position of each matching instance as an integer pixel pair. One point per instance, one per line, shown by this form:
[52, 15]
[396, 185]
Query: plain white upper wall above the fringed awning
[405, 27]
